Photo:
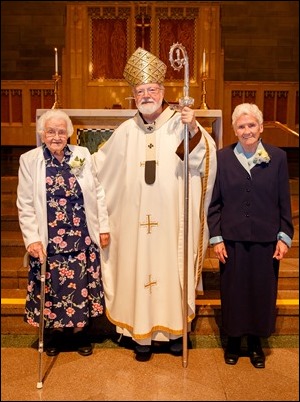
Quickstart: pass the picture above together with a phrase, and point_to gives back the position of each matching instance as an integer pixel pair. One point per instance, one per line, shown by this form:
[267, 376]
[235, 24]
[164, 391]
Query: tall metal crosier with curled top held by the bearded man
[177, 64]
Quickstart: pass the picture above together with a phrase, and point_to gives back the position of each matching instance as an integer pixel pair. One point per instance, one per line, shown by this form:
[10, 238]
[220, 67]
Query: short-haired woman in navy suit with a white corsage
[250, 224]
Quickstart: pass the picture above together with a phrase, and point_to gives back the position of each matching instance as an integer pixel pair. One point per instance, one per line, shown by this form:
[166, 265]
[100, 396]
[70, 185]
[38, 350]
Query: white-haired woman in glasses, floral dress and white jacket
[64, 222]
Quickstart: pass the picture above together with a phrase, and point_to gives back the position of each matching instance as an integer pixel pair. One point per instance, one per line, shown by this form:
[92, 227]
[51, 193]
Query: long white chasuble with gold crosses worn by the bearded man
[142, 268]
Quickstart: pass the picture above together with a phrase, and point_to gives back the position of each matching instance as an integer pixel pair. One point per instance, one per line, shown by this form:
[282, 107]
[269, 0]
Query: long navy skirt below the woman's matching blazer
[248, 284]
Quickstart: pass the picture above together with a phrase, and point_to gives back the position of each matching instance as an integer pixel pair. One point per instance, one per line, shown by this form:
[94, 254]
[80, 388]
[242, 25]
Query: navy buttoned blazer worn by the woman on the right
[254, 207]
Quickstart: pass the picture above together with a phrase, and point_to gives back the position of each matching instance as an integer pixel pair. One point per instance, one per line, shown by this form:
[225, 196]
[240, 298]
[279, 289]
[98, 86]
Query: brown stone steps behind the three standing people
[207, 320]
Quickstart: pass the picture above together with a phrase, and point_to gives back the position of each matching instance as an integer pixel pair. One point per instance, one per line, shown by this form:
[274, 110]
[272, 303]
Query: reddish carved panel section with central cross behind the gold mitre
[111, 44]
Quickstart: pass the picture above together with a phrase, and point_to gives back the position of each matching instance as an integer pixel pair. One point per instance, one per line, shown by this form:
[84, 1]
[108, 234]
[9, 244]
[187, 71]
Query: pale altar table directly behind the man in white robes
[94, 126]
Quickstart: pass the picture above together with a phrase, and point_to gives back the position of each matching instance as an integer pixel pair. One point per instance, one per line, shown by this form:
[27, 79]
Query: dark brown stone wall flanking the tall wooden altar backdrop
[260, 39]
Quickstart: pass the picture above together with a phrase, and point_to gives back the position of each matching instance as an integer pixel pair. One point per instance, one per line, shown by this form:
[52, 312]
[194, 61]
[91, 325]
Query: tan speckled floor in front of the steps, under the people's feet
[111, 373]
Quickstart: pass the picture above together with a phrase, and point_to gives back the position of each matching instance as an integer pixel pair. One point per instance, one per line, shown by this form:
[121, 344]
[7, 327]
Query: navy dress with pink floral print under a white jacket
[73, 284]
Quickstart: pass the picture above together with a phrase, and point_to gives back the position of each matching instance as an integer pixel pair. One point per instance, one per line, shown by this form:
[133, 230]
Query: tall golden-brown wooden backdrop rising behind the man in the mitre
[93, 64]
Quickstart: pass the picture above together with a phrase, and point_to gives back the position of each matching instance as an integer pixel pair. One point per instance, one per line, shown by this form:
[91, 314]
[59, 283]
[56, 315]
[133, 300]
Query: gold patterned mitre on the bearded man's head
[144, 68]
